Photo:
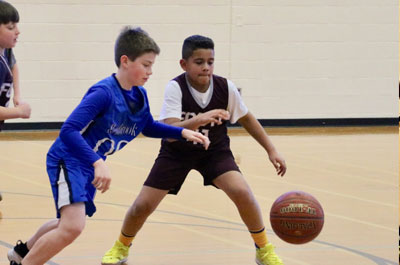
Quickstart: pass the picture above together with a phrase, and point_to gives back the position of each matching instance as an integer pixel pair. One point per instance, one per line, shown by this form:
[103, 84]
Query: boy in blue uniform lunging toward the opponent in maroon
[112, 113]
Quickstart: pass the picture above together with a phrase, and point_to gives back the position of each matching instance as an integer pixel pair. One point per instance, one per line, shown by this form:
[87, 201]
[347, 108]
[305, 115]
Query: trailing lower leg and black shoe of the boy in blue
[20, 250]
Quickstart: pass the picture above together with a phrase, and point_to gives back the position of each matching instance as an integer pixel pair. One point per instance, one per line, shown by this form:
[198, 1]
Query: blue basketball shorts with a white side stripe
[71, 182]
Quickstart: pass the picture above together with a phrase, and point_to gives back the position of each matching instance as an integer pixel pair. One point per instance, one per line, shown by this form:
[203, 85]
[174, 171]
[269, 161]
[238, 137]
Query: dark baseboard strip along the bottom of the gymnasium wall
[22, 126]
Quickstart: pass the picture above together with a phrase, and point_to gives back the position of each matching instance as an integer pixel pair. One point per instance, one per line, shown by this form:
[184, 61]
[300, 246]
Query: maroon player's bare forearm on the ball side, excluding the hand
[254, 128]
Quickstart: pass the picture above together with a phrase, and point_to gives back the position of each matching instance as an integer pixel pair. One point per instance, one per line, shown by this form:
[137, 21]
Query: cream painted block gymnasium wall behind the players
[293, 59]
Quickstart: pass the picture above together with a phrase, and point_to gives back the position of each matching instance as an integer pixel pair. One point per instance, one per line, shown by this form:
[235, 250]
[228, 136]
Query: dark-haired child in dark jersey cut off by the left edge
[9, 32]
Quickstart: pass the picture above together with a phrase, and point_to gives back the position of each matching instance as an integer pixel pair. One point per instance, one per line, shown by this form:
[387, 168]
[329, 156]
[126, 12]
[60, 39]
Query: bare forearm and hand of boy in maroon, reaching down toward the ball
[254, 128]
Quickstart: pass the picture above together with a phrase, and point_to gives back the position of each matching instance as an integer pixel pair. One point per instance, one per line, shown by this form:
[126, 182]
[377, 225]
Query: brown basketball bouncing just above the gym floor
[297, 217]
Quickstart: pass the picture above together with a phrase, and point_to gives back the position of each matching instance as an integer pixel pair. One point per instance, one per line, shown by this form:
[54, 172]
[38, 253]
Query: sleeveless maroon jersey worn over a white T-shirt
[219, 100]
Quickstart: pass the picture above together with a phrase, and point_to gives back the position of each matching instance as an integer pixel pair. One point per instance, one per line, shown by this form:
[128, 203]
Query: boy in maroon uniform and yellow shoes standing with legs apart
[195, 100]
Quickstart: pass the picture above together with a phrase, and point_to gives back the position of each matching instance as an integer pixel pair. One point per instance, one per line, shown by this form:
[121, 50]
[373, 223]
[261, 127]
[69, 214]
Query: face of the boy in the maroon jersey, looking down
[199, 68]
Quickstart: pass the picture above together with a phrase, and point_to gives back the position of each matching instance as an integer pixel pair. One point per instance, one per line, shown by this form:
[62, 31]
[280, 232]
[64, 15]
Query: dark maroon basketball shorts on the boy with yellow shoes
[171, 168]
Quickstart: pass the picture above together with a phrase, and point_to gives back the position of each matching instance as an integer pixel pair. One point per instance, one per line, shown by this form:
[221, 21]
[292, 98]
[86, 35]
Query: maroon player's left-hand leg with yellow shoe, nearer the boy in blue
[144, 205]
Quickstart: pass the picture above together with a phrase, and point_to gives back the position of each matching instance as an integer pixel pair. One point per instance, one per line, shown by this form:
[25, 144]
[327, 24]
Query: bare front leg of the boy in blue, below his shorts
[71, 224]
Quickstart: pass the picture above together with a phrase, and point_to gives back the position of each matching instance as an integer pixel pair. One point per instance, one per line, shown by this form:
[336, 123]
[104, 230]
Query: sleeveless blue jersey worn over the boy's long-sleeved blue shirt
[114, 127]
